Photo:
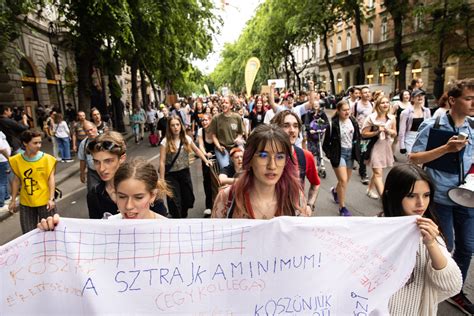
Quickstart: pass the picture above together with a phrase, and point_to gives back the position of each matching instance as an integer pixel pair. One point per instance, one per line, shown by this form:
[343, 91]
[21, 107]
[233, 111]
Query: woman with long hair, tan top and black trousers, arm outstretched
[174, 166]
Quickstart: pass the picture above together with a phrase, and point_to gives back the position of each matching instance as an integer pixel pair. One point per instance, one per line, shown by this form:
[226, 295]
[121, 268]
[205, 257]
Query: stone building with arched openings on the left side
[30, 77]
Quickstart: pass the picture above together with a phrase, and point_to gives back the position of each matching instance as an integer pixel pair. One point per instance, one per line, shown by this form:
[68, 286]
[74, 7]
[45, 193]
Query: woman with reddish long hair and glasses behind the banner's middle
[268, 185]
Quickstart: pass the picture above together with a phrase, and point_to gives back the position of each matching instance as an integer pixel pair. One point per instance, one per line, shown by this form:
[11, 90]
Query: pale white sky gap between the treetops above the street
[234, 16]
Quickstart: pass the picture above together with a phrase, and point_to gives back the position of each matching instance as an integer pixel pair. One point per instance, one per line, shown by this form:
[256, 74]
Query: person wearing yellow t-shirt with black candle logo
[34, 180]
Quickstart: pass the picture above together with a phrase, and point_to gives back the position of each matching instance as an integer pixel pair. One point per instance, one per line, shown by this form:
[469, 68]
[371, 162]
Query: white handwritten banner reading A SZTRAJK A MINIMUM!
[320, 266]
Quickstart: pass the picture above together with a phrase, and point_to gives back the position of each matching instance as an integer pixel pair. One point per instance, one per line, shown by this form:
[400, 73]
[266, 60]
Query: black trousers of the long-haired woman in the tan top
[183, 195]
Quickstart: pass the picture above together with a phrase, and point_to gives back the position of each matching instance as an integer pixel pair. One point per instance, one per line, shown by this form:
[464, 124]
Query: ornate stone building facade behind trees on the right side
[380, 63]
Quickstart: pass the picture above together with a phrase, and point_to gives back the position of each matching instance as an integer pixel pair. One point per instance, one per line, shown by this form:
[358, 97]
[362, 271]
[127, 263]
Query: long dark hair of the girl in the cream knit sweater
[399, 183]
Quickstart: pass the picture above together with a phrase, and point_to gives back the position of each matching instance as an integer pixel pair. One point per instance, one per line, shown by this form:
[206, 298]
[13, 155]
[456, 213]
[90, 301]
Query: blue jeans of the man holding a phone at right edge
[457, 225]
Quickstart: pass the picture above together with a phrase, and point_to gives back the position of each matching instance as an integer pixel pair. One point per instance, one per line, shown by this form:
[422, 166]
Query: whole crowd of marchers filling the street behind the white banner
[256, 156]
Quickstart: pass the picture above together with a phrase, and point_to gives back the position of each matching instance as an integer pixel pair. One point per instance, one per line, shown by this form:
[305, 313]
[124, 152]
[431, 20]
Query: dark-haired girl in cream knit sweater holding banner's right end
[409, 191]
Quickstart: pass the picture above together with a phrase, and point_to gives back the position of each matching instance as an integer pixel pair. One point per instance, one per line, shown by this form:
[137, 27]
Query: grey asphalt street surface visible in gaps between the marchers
[73, 203]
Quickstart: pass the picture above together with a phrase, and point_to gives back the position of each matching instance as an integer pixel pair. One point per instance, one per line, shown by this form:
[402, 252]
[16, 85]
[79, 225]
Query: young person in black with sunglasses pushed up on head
[109, 153]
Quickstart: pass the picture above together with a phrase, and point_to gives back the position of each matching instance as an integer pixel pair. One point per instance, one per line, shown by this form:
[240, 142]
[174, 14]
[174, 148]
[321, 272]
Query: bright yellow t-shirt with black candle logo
[33, 177]
